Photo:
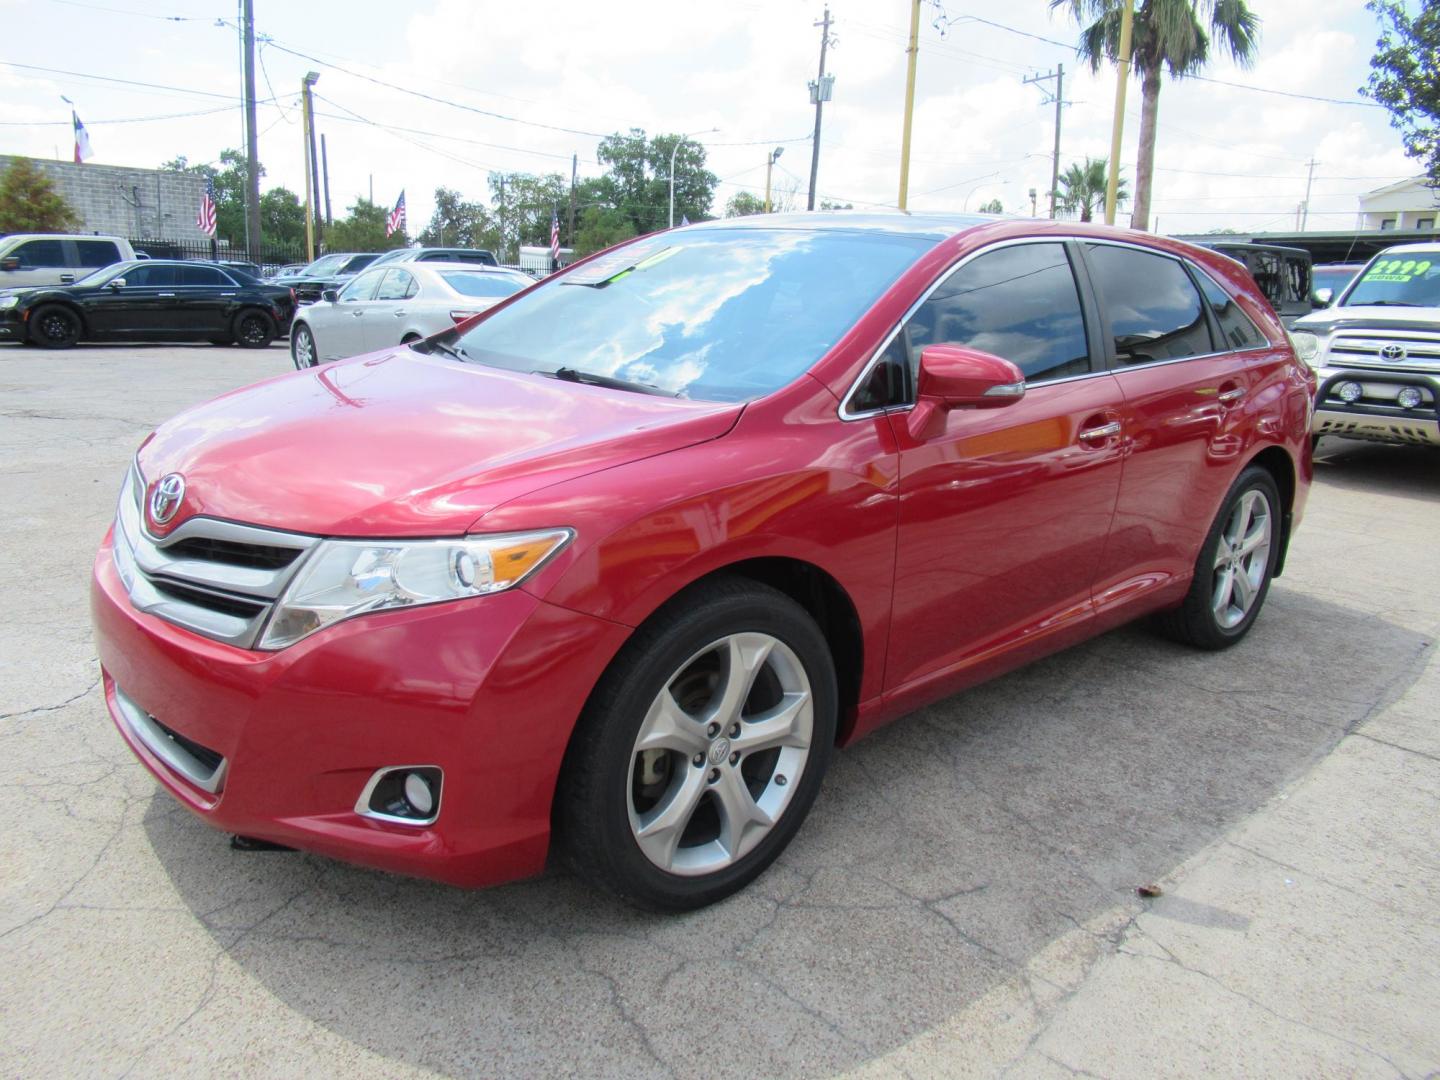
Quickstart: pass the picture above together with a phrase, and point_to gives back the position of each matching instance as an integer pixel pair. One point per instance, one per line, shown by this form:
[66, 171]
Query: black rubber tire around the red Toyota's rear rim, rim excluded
[1196, 621]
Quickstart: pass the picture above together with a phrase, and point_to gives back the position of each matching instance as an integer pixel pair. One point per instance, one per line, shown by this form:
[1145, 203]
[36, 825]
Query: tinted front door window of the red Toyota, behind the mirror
[1017, 303]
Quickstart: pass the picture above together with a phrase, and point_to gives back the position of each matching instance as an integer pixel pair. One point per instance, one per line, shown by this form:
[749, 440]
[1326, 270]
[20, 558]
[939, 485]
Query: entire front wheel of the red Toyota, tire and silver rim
[702, 750]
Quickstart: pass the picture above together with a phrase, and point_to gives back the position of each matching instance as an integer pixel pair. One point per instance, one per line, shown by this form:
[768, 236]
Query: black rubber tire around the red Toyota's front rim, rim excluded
[593, 811]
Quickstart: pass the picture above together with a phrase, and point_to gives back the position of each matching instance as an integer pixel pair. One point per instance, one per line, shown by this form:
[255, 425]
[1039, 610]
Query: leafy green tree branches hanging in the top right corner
[1405, 77]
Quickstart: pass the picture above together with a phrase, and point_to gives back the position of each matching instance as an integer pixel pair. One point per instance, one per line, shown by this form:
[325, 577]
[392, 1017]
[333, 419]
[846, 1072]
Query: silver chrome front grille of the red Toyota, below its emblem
[215, 578]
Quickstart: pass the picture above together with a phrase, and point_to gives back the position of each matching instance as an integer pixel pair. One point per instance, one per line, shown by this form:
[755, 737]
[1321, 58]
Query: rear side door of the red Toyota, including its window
[1183, 414]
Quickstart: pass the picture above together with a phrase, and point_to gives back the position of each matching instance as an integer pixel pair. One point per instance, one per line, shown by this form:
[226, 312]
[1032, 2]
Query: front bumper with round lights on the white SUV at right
[1377, 417]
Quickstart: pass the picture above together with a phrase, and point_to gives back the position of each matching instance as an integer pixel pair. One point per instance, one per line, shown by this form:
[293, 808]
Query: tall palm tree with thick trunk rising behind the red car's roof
[1166, 35]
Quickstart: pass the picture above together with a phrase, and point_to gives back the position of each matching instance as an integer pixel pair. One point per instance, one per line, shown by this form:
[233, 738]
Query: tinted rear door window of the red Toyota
[1154, 309]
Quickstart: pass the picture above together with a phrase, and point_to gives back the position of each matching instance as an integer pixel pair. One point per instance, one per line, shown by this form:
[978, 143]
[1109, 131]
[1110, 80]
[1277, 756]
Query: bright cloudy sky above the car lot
[480, 86]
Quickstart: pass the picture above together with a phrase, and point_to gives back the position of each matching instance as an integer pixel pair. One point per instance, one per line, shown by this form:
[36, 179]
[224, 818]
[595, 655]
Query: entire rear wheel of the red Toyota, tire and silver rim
[1235, 568]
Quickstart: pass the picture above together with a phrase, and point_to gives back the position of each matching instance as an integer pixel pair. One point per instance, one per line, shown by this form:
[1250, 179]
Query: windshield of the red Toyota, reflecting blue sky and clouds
[721, 316]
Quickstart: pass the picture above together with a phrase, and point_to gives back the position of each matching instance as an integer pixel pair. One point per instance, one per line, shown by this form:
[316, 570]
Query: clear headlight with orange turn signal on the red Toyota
[346, 578]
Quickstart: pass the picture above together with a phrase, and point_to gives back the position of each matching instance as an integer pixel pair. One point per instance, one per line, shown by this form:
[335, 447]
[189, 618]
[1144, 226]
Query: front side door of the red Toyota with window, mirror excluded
[1004, 513]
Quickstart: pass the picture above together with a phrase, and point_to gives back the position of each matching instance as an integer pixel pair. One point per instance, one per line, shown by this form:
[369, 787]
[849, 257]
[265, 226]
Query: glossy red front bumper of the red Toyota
[487, 690]
